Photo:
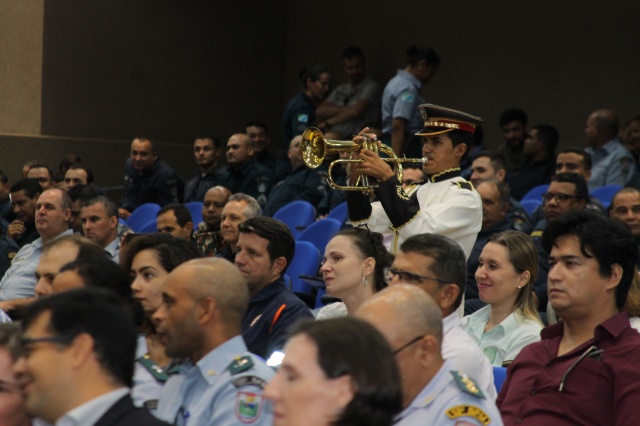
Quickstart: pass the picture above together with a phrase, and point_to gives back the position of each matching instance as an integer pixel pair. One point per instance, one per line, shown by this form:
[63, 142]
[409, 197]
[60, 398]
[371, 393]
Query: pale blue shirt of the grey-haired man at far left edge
[19, 281]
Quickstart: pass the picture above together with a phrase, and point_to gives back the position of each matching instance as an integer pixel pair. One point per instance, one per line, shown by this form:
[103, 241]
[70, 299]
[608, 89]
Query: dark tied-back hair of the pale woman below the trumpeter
[370, 244]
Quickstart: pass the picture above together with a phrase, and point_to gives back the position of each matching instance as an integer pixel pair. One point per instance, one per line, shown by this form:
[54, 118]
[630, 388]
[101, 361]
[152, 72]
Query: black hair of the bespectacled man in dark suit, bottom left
[98, 313]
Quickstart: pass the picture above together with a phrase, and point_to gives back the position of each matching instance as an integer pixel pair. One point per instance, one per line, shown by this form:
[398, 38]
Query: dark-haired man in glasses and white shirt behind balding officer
[436, 264]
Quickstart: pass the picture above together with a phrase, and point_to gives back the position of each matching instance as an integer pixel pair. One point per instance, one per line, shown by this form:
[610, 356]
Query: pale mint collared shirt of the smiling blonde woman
[504, 341]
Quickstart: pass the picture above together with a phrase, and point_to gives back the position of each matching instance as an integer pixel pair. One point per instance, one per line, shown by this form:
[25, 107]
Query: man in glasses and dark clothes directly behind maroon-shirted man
[567, 192]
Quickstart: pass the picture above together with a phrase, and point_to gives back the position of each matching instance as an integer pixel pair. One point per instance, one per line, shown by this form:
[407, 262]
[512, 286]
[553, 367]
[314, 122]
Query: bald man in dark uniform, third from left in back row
[245, 174]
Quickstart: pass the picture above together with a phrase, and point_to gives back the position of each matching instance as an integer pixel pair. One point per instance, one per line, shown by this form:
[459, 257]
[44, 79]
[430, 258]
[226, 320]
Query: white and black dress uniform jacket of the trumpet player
[447, 205]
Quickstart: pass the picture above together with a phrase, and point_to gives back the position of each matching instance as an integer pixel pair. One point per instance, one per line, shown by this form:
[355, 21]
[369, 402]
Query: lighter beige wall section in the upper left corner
[21, 24]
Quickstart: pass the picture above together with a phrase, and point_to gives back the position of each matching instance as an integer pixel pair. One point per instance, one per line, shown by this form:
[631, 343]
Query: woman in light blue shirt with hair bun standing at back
[400, 100]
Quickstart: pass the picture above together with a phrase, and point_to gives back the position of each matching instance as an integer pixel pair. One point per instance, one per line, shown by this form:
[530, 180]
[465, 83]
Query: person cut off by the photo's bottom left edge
[12, 404]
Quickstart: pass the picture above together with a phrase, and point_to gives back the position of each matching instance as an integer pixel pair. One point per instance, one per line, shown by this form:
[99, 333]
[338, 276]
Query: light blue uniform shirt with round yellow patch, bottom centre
[446, 401]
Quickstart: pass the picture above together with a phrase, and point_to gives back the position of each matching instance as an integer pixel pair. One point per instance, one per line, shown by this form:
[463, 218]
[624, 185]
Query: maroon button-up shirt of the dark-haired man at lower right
[600, 379]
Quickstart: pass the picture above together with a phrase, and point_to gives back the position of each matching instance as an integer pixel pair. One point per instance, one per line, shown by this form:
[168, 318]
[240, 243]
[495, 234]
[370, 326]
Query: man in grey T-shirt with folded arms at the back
[353, 105]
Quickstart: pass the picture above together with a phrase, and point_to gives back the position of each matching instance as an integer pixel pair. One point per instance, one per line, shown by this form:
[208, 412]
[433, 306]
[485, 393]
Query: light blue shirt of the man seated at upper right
[612, 164]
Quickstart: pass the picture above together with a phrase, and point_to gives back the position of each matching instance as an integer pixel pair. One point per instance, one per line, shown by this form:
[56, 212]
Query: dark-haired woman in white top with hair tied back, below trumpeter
[353, 269]
